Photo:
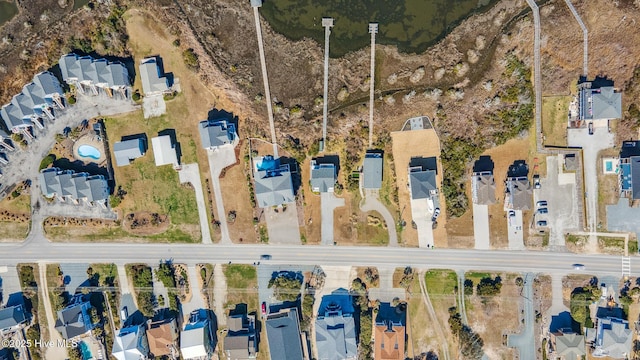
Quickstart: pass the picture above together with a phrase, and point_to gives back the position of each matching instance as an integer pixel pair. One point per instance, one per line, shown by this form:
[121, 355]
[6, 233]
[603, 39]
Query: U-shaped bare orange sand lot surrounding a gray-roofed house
[416, 143]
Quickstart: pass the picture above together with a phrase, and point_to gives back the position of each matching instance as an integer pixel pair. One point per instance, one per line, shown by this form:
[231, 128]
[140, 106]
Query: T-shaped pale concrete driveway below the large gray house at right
[591, 145]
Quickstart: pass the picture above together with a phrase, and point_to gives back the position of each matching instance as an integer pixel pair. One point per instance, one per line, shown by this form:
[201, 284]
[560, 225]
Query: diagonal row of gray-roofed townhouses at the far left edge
[35, 96]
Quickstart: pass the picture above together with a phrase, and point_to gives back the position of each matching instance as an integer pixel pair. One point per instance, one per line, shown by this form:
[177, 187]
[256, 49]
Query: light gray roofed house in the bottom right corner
[613, 337]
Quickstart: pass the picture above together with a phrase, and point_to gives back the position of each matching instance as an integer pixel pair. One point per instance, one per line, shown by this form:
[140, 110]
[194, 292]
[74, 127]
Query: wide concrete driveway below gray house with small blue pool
[283, 225]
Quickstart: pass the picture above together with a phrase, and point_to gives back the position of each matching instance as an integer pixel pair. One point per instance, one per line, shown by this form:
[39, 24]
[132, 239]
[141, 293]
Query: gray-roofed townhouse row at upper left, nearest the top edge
[96, 71]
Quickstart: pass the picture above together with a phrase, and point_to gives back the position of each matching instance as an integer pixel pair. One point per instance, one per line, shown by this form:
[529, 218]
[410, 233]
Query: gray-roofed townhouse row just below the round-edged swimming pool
[66, 183]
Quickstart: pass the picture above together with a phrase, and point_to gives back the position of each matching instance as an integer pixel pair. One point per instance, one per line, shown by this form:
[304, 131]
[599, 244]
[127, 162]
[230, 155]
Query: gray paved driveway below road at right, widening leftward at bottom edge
[525, 341]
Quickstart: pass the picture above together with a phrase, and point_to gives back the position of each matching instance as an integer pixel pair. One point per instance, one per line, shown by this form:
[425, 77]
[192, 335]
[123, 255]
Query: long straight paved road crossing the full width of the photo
[456, 259]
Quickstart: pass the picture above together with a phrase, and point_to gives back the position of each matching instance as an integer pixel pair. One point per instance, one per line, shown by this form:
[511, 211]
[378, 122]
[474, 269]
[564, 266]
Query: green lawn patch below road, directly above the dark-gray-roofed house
[242, 286]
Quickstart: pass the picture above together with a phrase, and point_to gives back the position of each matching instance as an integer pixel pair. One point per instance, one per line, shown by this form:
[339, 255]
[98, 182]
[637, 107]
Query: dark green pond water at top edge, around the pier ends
[412, 25]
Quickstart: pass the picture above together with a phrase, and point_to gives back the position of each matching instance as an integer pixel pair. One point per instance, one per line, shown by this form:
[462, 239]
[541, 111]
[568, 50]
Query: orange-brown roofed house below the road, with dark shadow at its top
[390, 332]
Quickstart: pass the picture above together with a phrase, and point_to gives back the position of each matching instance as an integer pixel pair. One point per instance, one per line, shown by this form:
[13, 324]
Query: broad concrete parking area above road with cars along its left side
[559, 190]
